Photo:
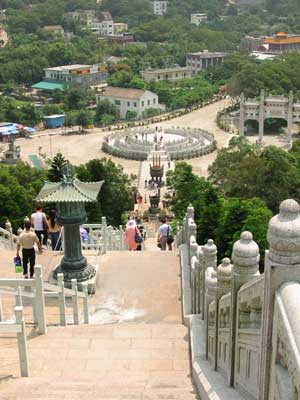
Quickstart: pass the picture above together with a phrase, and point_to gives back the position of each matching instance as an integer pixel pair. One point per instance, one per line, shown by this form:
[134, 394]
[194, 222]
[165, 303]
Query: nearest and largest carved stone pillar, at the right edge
[281, 265]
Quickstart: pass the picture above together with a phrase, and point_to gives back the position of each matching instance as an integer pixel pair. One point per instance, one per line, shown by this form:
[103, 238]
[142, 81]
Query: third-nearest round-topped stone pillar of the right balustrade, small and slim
[224, 277]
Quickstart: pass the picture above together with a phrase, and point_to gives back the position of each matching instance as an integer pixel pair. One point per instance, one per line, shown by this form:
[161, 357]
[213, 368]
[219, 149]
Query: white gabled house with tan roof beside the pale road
[135, 100]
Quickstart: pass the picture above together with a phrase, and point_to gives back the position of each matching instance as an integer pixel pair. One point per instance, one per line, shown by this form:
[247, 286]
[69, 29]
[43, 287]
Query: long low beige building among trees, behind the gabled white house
[166, 74]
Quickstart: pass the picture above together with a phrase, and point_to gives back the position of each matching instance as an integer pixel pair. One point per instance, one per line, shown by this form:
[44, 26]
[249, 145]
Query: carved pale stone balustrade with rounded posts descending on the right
[251, 322]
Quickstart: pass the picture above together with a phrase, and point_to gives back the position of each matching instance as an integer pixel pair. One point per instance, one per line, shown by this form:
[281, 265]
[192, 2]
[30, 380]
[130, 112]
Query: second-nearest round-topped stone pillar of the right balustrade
[245, 257]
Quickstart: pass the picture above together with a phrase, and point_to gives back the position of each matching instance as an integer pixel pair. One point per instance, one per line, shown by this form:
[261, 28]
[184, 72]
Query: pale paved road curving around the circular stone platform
[81, 148]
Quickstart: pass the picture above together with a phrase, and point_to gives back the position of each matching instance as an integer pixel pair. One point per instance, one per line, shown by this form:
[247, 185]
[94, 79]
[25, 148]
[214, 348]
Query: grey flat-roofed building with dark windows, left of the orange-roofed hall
[203, 60]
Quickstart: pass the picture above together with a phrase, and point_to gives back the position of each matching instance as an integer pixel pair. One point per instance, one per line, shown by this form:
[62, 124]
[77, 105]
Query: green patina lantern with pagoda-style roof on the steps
[70, 196]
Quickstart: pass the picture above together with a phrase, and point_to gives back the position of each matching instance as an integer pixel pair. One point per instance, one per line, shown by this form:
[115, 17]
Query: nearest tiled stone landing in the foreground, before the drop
[116, 361]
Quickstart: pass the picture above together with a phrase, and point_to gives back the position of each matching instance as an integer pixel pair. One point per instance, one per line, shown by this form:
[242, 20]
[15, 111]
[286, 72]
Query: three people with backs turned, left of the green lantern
[36, 231]
